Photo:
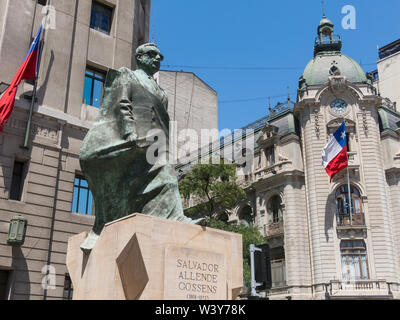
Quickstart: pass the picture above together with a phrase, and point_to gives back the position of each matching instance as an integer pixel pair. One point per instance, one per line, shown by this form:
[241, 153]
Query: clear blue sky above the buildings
[216, 39]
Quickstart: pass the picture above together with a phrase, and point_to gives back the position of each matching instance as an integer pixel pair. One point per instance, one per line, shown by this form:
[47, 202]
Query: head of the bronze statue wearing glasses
[148, 58]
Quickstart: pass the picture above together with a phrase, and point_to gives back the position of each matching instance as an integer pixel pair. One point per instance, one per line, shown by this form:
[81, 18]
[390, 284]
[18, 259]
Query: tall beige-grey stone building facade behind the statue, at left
[87, 38]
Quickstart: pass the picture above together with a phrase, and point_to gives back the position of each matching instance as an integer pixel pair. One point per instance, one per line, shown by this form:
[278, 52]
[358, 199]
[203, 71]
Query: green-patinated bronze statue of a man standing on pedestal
[114, 155]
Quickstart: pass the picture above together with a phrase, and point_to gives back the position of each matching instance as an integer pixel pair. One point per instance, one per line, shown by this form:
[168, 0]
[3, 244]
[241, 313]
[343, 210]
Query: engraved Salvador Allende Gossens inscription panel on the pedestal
[192, 274]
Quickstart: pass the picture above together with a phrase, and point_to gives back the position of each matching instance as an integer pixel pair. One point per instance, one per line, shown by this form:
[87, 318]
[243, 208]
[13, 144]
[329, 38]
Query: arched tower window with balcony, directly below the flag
[344, 206]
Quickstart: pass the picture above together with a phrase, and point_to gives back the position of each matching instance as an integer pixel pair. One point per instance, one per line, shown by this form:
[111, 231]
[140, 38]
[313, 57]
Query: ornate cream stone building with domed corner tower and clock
[320, 248]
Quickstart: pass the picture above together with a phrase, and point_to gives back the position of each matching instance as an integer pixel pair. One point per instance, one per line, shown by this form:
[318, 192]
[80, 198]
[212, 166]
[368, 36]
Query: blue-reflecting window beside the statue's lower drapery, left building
[82, 200]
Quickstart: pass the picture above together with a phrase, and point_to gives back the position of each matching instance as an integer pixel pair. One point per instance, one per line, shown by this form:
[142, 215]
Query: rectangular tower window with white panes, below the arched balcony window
[354, 260]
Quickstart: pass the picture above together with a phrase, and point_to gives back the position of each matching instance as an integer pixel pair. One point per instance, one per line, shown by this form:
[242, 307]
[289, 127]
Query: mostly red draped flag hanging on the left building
[27, 70]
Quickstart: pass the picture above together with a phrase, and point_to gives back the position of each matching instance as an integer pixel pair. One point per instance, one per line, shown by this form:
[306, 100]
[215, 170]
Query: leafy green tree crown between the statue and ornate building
[215, 186]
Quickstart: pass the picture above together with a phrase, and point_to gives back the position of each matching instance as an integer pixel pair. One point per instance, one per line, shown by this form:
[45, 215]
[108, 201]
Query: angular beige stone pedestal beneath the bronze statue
[140, 257]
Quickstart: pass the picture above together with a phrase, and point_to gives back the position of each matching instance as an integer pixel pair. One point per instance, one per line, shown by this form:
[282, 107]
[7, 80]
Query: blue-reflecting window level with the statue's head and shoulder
[93, 89]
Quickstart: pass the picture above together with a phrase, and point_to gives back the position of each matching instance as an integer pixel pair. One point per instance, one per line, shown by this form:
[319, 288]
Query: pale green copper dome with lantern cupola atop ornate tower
[328, 60]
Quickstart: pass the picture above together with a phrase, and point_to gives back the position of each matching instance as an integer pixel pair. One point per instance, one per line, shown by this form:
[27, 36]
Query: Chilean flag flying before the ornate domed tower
[334, 155]
